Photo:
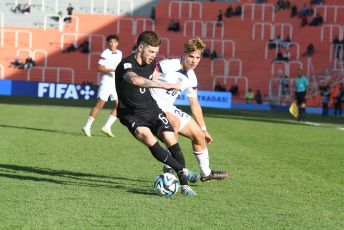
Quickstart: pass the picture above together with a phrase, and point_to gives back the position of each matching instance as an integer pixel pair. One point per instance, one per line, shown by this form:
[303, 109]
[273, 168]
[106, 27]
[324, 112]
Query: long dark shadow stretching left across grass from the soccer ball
[63, 177]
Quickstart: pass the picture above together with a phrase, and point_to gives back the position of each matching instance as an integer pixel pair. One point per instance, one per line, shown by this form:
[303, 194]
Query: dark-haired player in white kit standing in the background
[107, 64]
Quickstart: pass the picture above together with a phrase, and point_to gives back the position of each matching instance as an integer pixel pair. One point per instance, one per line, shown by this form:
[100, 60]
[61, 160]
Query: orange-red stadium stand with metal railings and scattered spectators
[238, 37]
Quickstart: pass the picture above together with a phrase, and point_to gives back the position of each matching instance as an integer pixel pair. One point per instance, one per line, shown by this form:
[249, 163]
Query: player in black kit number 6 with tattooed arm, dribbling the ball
[139, 112]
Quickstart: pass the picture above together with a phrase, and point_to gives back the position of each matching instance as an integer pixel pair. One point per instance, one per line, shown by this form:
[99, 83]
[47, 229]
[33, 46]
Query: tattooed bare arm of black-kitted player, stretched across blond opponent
[136, 80]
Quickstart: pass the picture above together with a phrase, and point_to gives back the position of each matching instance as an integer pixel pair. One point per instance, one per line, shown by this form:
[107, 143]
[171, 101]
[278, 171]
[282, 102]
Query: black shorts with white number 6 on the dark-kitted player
[156, 121]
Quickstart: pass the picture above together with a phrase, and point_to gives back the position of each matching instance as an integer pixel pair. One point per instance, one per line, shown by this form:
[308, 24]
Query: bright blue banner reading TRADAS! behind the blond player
[208, 99]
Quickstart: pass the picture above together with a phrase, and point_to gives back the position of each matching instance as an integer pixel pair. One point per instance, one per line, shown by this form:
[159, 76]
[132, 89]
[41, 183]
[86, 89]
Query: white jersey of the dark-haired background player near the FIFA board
[110, 60]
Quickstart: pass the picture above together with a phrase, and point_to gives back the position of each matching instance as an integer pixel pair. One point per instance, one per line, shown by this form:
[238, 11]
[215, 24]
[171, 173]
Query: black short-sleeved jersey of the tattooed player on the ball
[133, 99]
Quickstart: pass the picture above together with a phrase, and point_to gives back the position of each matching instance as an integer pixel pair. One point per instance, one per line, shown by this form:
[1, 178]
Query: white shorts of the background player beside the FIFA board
[107, 88]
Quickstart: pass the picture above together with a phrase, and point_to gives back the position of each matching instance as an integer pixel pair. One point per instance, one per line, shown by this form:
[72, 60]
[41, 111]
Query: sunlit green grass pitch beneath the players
[283, 174]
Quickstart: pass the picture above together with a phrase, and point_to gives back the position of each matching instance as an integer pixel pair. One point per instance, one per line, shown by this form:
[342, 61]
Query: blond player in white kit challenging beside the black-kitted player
[182, 72]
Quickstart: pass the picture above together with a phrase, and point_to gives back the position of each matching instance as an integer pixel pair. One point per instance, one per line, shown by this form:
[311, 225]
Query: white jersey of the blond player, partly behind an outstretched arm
[171, 72]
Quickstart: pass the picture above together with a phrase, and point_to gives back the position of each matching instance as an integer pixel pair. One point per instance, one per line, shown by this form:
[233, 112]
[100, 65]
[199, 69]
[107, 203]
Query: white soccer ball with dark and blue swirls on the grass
[166, 184]
